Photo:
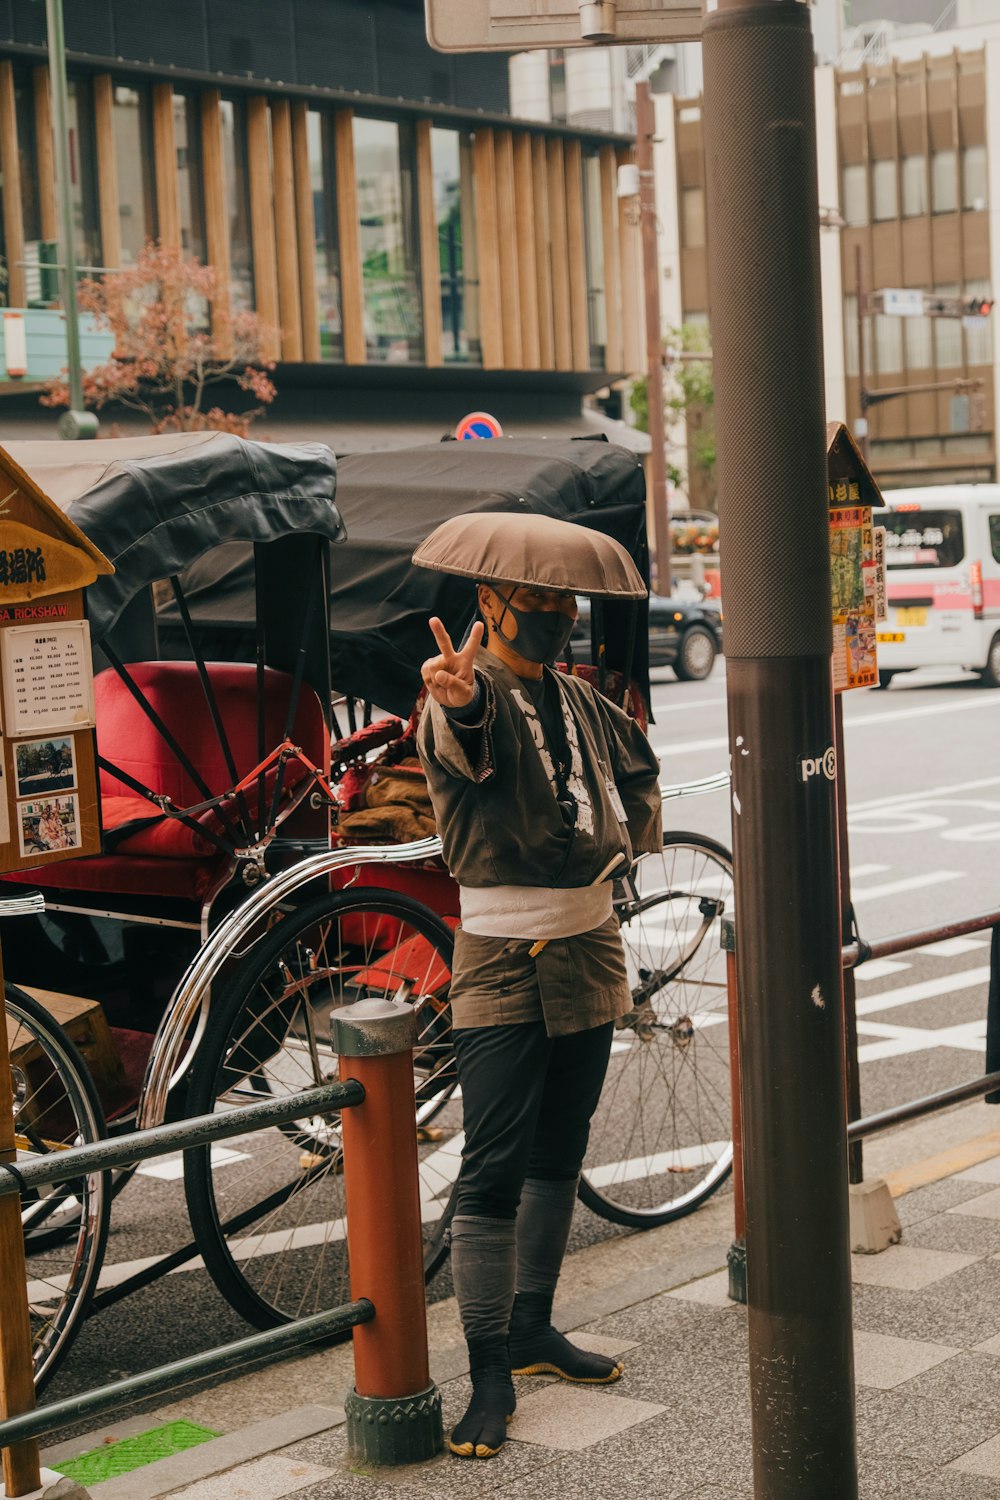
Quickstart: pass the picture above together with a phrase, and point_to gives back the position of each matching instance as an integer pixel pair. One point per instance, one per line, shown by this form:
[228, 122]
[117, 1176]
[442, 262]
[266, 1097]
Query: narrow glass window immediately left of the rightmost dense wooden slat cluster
[455, 215]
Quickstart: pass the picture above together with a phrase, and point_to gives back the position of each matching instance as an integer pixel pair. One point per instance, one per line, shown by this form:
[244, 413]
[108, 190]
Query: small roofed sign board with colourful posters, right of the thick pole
[857, 566]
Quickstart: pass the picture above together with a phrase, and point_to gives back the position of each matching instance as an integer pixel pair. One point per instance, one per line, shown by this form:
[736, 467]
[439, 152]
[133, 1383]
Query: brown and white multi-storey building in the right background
[909, 169]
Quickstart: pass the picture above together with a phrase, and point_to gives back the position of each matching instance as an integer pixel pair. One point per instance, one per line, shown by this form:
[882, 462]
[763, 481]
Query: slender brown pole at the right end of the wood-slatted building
[645, 133]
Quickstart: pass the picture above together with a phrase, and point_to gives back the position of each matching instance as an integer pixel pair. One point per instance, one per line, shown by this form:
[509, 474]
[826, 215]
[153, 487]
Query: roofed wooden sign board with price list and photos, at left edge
[49, 788]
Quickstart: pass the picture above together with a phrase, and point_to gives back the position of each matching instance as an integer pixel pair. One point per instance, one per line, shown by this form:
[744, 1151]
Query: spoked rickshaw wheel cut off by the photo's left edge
[56, 1106]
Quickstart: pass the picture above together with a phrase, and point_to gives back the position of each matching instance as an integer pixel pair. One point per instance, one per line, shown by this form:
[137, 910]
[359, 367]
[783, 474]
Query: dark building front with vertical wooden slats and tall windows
[374, 202]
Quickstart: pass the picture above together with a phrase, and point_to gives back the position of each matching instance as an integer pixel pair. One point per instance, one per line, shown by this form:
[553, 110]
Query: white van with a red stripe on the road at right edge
[942, 581]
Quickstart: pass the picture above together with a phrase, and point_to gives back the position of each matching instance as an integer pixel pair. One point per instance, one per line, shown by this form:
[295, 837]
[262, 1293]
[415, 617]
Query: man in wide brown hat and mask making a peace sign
[543, 793]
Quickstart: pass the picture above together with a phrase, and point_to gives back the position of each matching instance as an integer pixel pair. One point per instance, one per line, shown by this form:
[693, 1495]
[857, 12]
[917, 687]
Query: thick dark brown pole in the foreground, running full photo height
[765, 295]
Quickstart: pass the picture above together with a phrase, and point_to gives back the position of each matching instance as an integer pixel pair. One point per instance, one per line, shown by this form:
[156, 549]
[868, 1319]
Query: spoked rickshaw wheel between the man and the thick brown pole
[660, 1139]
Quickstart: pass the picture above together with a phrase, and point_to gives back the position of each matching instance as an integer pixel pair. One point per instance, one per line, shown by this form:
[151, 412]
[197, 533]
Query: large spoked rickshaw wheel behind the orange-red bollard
[269, 1211]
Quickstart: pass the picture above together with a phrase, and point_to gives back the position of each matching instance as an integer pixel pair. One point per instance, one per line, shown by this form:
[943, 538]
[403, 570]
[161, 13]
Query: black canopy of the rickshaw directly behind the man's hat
[391, 502]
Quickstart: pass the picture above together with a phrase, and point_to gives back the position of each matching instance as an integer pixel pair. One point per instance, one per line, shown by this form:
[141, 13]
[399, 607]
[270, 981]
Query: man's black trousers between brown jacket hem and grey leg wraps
[528, 1100]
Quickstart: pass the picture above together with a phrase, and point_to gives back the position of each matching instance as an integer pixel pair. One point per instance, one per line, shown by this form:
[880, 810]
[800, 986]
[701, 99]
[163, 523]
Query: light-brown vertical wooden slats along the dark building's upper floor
[518, 287]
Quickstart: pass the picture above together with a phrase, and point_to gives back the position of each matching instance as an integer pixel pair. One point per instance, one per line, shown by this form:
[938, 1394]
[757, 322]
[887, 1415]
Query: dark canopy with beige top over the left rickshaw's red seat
[157, 505]
